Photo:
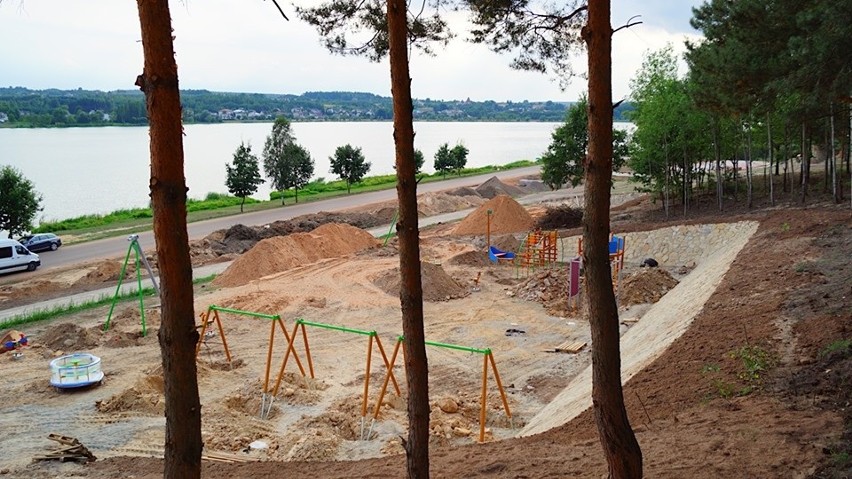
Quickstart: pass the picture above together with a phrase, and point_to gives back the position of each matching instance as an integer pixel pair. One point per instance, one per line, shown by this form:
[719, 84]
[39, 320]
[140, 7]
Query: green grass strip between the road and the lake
[215, 205]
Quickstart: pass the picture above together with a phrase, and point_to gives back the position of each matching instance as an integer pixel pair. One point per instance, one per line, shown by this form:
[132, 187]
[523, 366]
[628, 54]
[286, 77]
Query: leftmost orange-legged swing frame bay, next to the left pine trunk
[266, 399]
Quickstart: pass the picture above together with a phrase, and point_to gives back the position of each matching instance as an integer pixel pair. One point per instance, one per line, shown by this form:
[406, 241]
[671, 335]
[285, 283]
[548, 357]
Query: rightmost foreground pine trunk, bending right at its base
[622, 452]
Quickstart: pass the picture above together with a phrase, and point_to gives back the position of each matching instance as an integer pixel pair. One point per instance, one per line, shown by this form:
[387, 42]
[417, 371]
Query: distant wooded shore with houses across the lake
[24, 108]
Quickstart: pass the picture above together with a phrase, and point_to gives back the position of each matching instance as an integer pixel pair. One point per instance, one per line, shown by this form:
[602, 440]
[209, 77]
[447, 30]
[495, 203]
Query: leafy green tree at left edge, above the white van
[19, 201]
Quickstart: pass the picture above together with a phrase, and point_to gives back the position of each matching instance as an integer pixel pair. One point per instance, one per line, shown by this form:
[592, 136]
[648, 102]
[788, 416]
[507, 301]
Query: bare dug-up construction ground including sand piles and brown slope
[776, 295]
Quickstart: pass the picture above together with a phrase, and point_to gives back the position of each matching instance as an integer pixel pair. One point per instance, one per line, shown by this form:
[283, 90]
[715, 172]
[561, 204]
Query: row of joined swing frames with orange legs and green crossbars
[211, 317]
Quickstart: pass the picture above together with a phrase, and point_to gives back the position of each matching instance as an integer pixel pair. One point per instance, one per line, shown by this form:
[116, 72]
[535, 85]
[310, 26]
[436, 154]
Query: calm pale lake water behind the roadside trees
[97, 170]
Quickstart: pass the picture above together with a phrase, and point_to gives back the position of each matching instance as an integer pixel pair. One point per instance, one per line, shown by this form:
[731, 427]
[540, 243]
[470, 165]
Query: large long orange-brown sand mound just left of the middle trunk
[280, 253]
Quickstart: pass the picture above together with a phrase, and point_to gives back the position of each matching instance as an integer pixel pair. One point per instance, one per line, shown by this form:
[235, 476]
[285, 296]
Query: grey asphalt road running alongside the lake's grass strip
[118, 246]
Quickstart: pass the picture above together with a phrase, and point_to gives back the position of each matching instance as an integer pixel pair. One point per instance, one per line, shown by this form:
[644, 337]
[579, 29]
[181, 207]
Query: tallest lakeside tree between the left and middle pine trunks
[286, 163]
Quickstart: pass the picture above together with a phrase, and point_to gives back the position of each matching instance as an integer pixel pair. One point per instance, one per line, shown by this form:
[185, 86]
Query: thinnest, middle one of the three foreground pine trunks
[411, 290]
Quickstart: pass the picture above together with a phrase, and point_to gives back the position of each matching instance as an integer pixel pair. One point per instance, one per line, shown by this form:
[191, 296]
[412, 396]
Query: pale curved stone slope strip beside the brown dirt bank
[650, 337]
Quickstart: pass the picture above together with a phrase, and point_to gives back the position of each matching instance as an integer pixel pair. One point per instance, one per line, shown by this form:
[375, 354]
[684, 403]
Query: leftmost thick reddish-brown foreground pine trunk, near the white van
[178, 337]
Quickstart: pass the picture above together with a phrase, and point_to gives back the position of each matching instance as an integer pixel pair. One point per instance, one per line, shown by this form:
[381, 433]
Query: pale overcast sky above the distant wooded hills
[245, 46]
